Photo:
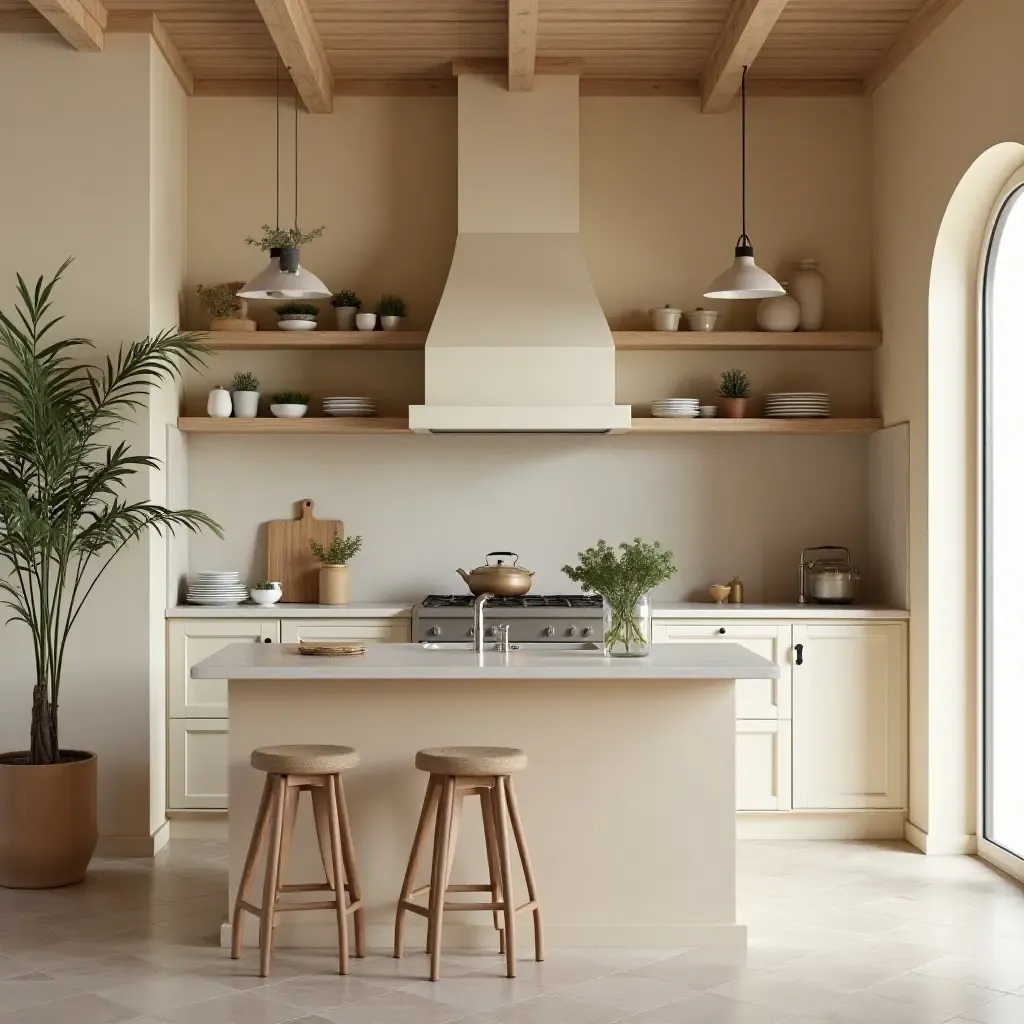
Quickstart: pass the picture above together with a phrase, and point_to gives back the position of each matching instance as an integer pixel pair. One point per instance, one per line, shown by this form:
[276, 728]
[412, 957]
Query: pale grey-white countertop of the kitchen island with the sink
[410, 661]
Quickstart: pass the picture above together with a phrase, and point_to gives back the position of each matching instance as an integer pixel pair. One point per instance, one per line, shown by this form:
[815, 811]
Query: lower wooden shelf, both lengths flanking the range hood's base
[648, 425]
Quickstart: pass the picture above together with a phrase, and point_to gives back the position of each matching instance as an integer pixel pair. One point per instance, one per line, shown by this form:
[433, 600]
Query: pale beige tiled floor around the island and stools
[849, 933]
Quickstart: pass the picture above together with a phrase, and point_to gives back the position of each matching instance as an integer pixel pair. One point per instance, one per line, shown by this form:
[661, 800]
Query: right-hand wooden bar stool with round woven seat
[457, 773]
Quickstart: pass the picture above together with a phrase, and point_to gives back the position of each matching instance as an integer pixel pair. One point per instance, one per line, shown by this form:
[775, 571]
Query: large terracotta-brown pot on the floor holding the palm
[48, 821]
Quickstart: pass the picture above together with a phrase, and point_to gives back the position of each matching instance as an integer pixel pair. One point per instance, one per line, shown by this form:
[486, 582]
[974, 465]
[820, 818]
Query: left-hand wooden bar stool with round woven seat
[291, 772]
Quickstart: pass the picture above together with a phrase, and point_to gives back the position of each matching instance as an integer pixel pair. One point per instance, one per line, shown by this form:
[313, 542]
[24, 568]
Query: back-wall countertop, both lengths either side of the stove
[662, 610]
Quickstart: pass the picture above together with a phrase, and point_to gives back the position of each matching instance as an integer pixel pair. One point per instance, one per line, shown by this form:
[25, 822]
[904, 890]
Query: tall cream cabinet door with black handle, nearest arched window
[849, 717]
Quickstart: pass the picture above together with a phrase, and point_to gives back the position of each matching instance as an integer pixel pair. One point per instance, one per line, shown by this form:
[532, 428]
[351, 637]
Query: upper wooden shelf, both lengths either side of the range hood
[649, 342]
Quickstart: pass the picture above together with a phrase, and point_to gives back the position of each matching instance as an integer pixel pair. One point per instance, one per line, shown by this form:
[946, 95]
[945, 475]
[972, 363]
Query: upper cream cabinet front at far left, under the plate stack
[190, 642]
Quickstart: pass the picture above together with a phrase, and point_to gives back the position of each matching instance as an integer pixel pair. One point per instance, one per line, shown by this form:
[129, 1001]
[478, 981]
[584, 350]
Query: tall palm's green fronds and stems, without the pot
[64, 513]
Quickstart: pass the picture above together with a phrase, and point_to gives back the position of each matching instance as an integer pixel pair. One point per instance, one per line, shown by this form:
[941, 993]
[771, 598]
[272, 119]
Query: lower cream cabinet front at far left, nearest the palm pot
[198, 764]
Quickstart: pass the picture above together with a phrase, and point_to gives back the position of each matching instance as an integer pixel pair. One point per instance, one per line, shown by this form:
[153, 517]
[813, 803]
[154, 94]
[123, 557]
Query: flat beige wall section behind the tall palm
[78, 182]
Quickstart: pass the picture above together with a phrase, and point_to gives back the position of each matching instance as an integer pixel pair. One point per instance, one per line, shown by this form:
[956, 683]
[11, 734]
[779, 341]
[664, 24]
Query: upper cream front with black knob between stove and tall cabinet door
[759, 699]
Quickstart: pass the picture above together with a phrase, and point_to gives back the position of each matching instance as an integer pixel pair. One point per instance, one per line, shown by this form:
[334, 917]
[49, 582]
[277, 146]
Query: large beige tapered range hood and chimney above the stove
[520, 343]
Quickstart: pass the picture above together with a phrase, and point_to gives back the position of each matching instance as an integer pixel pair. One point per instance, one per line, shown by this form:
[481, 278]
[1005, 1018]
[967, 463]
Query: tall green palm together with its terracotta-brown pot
[64, 518]
